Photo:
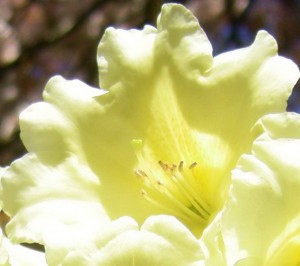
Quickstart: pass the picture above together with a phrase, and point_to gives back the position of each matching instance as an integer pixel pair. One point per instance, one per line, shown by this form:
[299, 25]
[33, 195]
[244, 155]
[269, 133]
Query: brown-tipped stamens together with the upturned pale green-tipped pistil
[177, 188]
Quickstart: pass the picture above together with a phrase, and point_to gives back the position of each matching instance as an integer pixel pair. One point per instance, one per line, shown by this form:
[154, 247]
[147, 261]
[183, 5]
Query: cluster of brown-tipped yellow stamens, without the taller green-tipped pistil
[173, 187]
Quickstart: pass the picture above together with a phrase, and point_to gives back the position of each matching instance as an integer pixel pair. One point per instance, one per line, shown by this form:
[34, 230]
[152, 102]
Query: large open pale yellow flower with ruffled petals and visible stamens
[140, 168]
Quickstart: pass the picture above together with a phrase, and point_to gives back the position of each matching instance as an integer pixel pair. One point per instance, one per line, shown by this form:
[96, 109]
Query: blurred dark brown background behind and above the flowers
[41, 38]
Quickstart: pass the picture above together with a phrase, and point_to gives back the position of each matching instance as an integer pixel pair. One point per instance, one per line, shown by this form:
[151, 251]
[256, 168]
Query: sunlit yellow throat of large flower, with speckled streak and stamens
[183, 170]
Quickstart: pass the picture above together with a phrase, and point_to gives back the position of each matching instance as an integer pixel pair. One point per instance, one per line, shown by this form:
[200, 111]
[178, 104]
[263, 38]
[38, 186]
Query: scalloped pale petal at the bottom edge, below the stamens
[161, 240]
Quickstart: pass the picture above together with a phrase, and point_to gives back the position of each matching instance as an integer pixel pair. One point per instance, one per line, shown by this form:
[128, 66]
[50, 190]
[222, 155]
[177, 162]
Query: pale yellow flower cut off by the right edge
[260, 223]
